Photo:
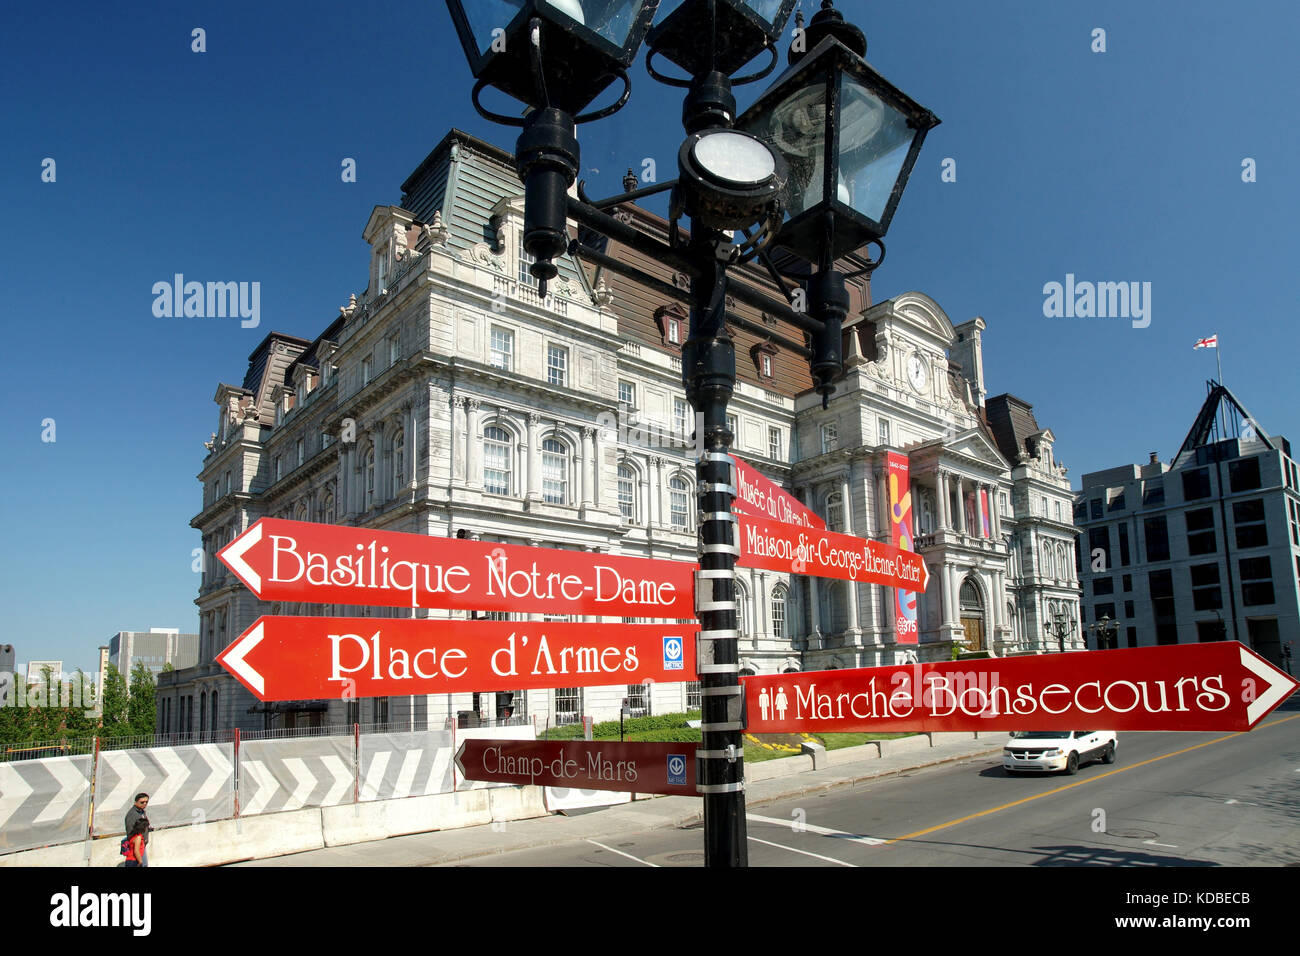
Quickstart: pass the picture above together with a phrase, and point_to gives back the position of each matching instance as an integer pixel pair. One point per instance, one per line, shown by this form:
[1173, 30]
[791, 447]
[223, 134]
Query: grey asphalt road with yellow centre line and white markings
[1171, 801]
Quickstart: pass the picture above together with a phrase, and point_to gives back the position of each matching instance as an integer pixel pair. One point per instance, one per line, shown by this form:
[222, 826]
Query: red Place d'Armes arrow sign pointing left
[319, 659]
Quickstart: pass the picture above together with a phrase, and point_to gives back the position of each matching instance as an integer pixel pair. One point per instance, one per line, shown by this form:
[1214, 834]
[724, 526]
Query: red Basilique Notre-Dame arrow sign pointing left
[327, 564]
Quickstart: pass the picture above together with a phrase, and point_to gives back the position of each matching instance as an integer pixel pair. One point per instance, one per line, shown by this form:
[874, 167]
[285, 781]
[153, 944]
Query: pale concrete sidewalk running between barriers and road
[768, 782]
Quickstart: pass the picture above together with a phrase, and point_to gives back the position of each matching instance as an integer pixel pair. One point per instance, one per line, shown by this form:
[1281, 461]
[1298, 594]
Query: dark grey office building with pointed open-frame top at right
[1204, 548]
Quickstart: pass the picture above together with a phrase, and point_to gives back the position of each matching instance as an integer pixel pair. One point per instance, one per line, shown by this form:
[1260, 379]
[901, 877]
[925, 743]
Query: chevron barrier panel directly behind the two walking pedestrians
[185, 785]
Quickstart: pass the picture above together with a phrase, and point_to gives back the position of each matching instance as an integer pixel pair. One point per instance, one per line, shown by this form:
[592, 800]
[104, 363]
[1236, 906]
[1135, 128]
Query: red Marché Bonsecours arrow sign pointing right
[1182, 687]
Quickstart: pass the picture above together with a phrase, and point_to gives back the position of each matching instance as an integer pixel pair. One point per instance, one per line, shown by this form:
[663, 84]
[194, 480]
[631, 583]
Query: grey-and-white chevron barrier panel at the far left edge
[45, 802]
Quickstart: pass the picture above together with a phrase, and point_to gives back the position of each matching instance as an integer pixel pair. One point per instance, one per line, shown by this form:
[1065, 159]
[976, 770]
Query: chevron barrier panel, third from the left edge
[291, 775]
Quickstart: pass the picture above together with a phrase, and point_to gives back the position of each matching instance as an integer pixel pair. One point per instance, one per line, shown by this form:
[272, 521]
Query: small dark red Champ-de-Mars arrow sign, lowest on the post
[582, 764]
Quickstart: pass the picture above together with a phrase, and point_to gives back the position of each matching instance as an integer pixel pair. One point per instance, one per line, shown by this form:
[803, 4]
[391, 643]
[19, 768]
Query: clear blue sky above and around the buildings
[224, 166]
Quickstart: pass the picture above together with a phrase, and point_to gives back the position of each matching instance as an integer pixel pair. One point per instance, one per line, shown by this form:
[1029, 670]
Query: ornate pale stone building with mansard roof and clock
[449, 399]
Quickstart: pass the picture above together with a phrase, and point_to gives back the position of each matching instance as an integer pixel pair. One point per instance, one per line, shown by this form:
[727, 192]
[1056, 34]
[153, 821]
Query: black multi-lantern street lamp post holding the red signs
[830, 128]
